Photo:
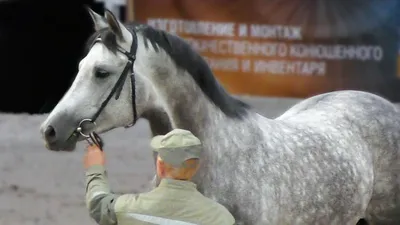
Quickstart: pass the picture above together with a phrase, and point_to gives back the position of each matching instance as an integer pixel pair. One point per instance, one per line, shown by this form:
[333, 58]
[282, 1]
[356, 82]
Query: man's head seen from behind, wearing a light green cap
[178, 154]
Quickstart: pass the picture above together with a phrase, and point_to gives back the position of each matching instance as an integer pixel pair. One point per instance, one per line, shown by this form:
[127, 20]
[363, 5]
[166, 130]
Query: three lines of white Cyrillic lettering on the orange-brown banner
[229, 47]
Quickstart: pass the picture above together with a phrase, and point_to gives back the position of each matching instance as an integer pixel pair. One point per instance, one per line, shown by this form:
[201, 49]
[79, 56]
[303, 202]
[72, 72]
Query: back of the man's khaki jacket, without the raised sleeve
[169, 203]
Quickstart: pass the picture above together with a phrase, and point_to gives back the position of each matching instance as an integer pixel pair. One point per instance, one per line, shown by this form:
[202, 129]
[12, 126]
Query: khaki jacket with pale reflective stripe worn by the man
[173, 202]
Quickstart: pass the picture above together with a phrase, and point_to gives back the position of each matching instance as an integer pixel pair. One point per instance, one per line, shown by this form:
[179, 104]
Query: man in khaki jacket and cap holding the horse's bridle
[175, 200]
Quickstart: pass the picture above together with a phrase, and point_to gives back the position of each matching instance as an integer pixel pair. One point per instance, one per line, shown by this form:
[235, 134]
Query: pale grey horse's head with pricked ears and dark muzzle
[101, 72]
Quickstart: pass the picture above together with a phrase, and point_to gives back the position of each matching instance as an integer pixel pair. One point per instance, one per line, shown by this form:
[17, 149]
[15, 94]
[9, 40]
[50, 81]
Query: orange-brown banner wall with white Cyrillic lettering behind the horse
[291, 48]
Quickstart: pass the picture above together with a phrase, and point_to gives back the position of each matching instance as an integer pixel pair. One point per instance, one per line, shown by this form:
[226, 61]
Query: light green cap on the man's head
[177, 146]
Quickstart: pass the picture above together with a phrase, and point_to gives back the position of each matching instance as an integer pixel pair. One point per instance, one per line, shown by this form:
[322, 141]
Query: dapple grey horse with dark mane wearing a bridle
[330, 159]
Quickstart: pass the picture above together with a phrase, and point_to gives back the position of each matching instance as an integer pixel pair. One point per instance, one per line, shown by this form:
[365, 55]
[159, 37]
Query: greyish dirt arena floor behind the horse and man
[41, 187]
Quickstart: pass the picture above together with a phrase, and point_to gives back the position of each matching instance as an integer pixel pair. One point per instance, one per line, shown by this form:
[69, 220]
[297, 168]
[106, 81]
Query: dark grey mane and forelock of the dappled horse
[184, 57]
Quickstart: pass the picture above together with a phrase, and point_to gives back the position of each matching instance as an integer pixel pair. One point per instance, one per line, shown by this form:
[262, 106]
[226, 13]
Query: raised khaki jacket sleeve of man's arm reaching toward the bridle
[99, 200]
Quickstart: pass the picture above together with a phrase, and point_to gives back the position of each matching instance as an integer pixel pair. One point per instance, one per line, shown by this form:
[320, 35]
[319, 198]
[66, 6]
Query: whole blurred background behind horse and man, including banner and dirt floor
[270, 53]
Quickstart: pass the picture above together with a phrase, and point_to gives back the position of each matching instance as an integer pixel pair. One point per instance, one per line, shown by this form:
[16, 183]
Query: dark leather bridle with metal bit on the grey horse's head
[93, 138]
